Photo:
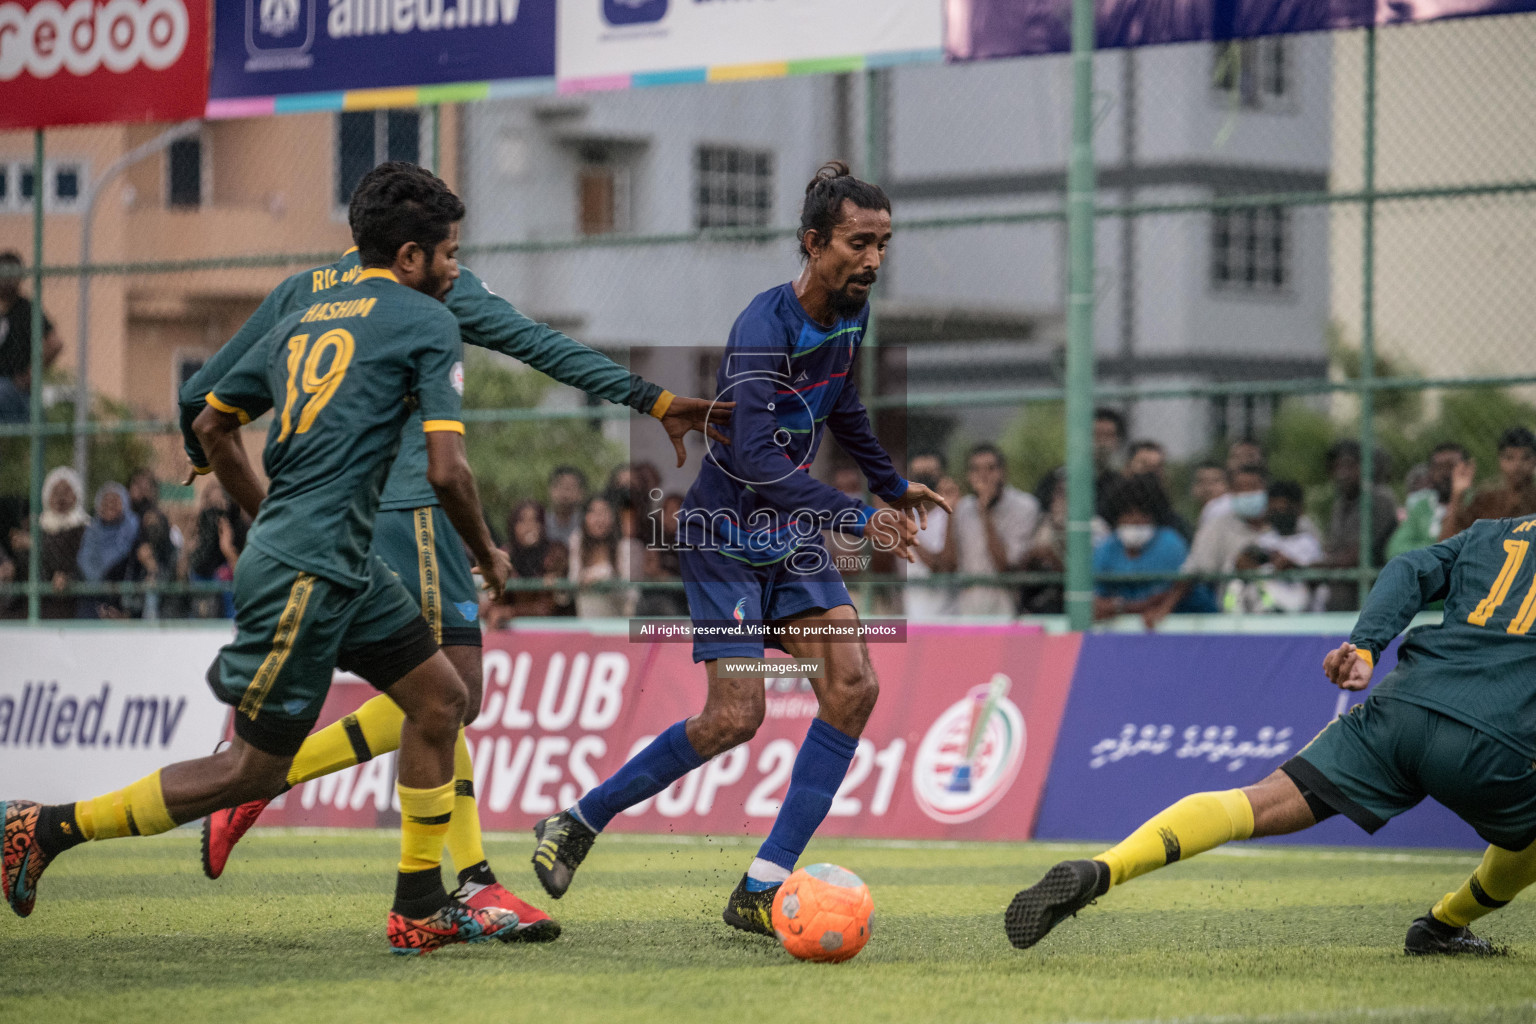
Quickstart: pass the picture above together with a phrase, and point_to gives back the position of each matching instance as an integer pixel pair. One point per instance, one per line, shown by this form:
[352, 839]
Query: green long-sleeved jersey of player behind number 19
[485, 320]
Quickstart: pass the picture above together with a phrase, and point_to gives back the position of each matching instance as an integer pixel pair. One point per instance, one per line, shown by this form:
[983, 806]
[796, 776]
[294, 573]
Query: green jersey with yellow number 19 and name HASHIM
[343, 375]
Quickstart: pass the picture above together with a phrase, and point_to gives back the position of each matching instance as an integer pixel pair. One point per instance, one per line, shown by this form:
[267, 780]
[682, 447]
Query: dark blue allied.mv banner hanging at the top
[266, 48]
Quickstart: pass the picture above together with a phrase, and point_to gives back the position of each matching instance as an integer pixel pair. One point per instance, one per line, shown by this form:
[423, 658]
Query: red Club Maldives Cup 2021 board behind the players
[566, 710]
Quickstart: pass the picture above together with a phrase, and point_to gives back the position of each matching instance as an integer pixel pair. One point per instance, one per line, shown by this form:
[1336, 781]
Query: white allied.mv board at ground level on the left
[88, 712]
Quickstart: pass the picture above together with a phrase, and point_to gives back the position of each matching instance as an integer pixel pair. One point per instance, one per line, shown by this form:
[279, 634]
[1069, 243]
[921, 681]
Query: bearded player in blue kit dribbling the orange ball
[752, 550]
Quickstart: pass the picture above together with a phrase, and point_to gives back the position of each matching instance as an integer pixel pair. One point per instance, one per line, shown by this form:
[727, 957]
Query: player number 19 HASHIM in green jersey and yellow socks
[343, 377]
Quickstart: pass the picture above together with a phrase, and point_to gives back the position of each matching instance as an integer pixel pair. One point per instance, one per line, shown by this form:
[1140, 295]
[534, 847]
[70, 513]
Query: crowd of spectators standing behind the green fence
[611, 552]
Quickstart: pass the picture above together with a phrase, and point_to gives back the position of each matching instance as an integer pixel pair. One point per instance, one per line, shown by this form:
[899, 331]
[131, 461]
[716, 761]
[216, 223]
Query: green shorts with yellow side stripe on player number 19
[294, 629]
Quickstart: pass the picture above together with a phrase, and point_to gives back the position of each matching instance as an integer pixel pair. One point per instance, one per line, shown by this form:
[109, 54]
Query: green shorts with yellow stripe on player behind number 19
[425, 550]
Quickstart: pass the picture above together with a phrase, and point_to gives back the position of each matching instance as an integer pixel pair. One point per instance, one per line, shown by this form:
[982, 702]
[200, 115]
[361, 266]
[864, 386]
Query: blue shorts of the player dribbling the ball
[723, 589]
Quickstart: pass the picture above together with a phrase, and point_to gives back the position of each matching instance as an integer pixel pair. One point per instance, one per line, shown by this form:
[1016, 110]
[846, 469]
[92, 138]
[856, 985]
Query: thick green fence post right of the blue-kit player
[1081, 183]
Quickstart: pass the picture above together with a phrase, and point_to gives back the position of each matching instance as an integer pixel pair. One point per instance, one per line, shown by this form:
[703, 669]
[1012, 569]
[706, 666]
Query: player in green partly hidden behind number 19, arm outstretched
[417, 541]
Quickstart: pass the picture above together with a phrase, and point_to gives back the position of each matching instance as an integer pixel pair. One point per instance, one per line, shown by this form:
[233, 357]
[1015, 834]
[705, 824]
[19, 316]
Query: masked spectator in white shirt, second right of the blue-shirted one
[1288, 544]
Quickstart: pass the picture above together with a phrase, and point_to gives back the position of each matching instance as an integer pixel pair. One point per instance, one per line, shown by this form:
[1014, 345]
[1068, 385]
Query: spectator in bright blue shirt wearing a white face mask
[1142, 543]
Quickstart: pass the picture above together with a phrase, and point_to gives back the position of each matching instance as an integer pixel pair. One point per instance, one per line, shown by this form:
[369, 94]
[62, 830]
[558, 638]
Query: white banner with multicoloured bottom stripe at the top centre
[614, 44]
